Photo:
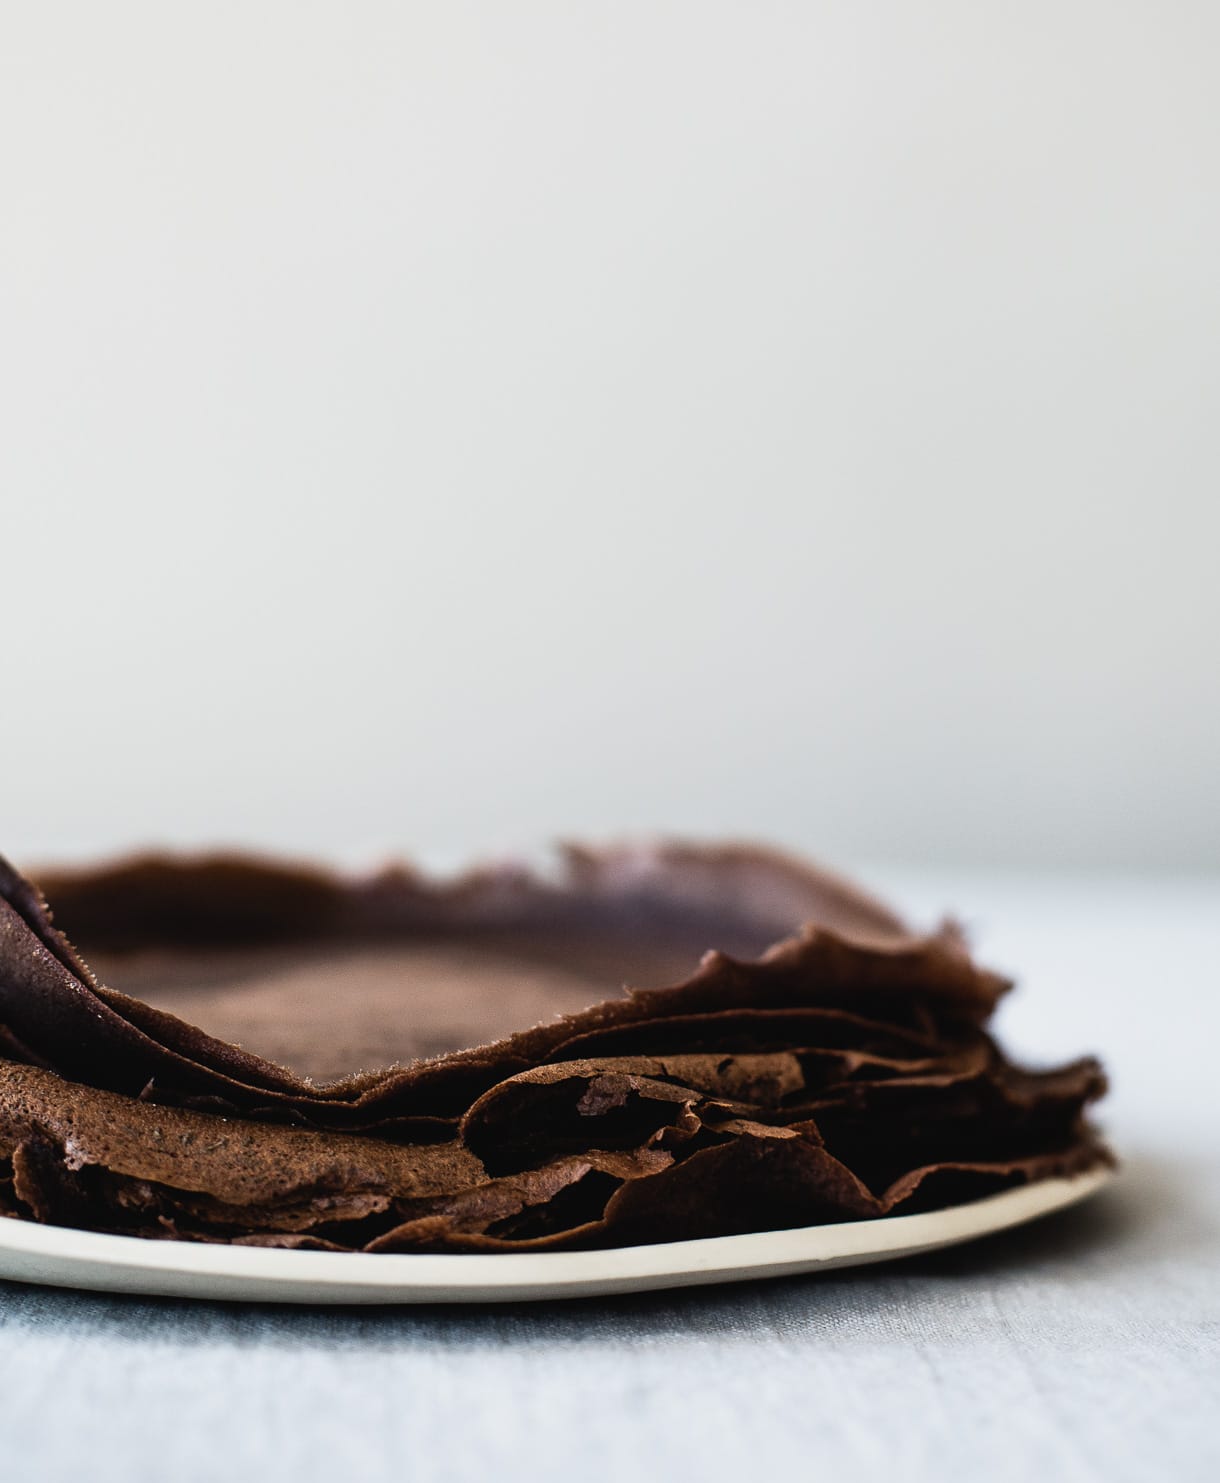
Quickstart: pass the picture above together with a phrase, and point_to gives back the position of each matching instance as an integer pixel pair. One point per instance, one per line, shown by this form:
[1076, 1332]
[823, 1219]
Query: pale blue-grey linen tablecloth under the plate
[1083, 1347]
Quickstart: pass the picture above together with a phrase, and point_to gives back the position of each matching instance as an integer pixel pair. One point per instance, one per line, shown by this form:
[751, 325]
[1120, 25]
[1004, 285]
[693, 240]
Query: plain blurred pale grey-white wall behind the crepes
[441, 426]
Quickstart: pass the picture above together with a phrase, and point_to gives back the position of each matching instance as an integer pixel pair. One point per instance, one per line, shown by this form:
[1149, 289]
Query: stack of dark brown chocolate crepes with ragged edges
[303, 1060]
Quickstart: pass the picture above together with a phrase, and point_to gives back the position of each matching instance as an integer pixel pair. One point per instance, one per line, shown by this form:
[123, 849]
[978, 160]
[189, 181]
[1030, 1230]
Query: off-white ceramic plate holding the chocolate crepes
[64, 1258]
